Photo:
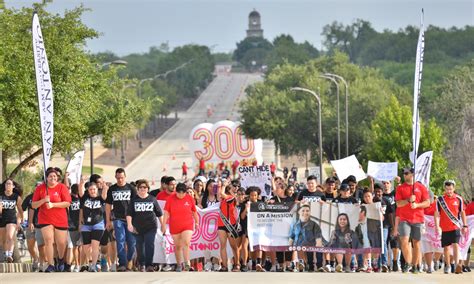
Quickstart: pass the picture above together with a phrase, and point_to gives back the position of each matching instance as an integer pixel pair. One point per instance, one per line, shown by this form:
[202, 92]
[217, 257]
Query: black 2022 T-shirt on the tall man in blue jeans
[120, 197]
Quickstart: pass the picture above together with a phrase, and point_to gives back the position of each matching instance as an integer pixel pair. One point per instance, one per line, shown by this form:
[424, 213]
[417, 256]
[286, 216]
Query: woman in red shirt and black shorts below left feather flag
[52, 198]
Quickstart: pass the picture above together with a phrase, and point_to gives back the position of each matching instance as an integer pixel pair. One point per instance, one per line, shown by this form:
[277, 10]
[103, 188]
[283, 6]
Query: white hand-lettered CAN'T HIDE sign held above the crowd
[259, 176]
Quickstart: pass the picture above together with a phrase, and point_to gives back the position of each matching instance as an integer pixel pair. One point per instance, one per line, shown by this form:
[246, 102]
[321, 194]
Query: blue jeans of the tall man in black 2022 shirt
[122, 235]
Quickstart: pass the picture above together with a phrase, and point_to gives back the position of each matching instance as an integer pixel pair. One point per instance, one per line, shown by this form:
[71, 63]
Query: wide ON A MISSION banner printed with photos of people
[316, 226]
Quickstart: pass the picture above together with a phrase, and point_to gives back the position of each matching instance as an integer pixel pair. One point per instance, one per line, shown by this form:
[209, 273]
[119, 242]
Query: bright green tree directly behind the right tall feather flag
[390, 139]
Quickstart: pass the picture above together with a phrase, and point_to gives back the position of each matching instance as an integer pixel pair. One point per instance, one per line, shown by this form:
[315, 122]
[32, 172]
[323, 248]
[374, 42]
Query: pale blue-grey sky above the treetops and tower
[133, 26]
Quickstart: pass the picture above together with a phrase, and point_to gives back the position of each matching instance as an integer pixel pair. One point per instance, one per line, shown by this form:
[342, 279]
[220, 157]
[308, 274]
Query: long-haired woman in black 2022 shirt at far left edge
[11, 216]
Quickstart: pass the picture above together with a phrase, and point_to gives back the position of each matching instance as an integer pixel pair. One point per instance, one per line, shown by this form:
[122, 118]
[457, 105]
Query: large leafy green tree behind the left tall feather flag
[87, 101]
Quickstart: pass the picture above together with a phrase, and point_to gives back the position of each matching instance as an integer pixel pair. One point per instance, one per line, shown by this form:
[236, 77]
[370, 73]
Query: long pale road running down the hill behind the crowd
[223, 96]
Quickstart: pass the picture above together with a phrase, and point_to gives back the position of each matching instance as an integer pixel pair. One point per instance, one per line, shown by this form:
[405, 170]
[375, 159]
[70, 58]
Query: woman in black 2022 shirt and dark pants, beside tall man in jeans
[142, 213]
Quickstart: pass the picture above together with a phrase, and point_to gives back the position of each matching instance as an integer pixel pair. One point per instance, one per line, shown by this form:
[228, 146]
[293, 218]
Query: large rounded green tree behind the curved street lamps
[290, 119]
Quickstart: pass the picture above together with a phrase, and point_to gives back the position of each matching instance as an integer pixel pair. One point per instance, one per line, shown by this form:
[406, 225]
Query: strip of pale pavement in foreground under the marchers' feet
[230, 278]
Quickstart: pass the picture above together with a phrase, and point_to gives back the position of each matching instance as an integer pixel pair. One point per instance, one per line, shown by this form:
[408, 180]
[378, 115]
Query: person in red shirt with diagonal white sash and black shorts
[448, 216]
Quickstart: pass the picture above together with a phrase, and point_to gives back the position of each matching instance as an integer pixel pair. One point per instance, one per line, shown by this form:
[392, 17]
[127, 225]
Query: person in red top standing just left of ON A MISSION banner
[229, 212]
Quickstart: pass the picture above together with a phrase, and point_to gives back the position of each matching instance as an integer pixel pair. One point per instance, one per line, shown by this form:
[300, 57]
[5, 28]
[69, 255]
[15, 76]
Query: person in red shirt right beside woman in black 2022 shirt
[180, 210]
